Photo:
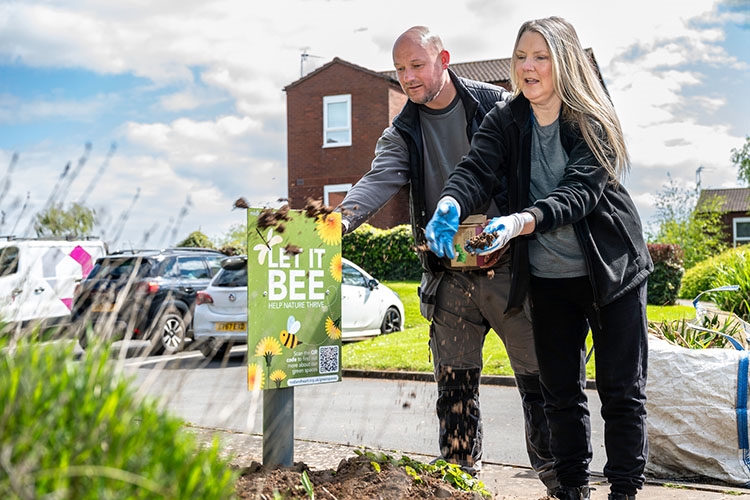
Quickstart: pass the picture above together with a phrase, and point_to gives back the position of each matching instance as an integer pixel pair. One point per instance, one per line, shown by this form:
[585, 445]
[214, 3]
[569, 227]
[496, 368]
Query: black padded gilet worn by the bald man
[478, 98]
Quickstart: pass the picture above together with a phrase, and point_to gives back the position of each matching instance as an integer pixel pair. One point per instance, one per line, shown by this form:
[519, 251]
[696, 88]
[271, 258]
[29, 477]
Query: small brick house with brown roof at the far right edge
[734, 203]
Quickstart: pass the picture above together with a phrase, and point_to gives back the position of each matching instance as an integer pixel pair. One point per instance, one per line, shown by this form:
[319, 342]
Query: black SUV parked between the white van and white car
[143, 295]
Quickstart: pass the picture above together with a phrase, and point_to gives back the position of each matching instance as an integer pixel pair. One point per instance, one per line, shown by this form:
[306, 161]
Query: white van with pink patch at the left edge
[38, 277]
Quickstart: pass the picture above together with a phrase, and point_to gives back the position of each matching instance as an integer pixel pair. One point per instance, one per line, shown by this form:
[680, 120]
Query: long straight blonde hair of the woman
[585, 101]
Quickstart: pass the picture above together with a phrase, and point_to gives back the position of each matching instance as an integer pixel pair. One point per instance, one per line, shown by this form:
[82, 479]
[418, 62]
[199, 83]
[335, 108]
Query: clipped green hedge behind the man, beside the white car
[387, 254]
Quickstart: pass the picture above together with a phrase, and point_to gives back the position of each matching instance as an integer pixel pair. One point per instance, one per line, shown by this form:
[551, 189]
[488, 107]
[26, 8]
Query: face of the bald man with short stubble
[420, 70]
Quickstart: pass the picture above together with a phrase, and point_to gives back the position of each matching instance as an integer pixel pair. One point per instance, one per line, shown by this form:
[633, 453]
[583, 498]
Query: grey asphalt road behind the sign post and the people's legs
[387, 414]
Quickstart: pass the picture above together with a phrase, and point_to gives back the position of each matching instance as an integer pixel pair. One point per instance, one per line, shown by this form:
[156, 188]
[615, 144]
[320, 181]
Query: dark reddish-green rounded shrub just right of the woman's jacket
[664, 282]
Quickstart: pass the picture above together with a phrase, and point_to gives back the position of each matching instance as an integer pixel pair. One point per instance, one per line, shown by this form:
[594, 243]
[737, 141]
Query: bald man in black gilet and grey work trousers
[422, 146]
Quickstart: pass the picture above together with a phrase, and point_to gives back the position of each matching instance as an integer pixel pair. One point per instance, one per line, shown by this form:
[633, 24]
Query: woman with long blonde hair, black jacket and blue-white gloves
[577, 247]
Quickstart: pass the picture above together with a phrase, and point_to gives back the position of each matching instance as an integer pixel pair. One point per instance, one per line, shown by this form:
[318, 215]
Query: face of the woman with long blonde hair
[533, 67]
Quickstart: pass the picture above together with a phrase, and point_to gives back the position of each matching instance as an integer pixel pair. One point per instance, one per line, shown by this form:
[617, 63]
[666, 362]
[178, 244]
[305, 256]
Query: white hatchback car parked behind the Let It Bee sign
[368, 308]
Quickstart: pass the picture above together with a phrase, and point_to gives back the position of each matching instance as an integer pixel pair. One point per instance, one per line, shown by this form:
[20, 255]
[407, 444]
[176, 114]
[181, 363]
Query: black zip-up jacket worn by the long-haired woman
[602, 213]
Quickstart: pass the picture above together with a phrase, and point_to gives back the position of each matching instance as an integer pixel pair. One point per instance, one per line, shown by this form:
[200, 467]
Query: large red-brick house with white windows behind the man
[336, 114]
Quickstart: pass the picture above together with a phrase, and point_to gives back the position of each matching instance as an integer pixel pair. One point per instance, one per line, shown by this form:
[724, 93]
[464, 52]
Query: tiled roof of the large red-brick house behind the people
[494, 71]
